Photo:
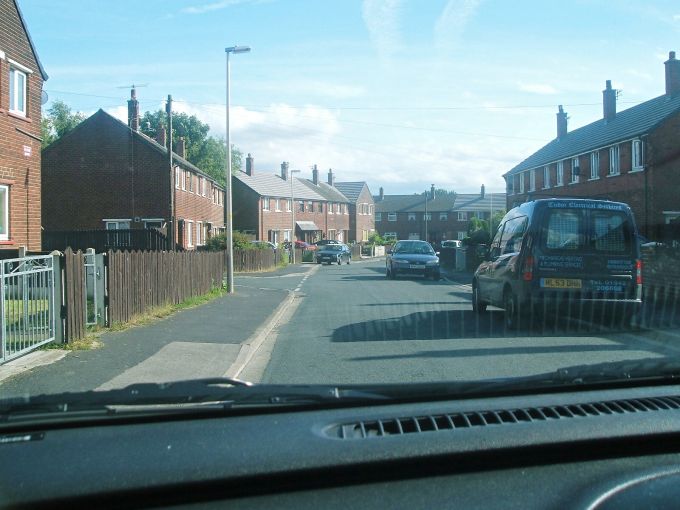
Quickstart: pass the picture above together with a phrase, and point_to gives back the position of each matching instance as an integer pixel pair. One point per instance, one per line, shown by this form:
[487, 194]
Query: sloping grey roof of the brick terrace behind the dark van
[627, 124]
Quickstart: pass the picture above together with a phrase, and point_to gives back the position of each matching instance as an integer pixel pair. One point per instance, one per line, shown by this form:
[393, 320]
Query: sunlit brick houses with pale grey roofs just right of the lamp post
[262, 206]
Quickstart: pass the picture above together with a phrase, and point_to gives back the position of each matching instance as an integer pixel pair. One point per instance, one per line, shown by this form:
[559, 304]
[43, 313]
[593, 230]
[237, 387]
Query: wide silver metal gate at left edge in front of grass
[27, 305]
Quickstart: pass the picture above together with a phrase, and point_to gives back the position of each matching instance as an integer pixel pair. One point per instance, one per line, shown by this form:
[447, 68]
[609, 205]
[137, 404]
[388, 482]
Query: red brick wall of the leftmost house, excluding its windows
[19, 134]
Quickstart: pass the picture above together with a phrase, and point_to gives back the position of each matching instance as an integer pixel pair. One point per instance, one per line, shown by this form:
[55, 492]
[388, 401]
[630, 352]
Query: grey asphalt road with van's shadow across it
[352, 325]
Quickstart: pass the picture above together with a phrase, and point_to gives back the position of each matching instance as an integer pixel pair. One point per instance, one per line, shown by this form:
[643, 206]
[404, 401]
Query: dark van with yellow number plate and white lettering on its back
[561, 254]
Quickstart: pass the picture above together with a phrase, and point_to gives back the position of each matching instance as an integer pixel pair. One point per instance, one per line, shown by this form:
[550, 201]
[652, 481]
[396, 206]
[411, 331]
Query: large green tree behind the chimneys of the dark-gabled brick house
[206, 152]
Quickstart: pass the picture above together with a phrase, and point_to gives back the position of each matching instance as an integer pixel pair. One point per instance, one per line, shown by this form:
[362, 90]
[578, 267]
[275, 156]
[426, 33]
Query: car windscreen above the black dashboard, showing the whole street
[152, 150]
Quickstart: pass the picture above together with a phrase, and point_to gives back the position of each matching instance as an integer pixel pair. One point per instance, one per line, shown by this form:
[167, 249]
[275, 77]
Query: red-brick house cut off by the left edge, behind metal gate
[21, 81]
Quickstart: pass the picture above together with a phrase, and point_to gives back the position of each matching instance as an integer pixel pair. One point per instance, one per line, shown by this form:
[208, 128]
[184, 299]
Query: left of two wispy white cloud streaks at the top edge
[382, 20]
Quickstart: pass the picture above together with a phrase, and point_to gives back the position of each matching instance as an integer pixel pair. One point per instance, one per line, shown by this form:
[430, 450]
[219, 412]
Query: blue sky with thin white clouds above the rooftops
[399, 93]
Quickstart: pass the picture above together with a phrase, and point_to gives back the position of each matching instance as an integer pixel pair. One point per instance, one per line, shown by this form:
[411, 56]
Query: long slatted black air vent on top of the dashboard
[440, 422]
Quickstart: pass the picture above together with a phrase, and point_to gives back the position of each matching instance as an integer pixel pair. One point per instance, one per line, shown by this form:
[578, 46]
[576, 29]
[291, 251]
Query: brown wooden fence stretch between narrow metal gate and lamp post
[139, 281]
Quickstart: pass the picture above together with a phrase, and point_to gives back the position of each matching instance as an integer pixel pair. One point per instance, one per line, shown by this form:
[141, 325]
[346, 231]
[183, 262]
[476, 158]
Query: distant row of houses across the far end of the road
[444, 217]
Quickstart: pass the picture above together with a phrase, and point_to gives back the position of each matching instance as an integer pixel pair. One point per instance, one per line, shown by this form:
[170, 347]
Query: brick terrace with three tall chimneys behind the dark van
[632, 156]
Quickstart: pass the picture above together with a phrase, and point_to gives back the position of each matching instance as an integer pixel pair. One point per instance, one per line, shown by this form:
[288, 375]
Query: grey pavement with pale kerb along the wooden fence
[210, 340]
